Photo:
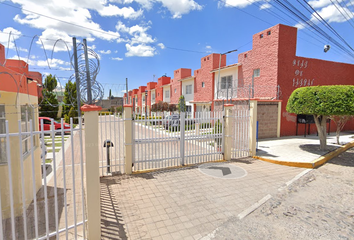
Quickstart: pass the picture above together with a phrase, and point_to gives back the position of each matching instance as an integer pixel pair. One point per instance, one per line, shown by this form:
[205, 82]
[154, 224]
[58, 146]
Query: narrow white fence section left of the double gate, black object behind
[111, 144]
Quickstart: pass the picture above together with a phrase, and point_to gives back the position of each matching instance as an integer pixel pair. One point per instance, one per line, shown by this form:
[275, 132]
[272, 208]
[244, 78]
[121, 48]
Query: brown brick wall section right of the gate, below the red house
[267, 117]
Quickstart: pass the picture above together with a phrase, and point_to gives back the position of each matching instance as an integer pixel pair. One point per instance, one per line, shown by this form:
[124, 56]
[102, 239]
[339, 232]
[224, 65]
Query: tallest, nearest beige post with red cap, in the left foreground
[92, 171]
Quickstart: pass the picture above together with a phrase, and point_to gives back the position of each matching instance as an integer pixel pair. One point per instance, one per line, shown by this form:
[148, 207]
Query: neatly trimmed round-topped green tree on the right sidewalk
[322, 102]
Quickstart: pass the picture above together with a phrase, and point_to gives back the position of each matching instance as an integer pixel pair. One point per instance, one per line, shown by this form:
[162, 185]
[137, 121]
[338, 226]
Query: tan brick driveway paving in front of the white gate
[183, 203]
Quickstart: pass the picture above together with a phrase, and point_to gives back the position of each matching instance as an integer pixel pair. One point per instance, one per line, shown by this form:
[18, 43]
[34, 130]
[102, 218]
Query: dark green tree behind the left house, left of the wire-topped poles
[49, 104]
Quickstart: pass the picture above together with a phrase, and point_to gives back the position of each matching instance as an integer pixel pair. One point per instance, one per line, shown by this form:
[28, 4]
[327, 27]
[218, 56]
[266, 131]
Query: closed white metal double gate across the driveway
[174, 140]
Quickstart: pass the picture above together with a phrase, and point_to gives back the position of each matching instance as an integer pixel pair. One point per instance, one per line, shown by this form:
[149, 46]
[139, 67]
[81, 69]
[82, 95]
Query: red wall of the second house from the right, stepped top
[208, 63]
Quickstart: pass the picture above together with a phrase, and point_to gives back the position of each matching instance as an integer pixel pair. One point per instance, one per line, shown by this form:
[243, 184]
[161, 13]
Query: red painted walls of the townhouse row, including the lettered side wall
[272, 67]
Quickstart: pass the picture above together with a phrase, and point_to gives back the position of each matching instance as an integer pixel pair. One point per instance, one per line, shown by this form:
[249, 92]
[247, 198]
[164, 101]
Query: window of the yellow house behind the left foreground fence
[27, 114]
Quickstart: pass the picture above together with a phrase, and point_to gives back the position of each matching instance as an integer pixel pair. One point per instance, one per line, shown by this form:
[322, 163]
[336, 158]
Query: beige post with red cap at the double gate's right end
[228, 130]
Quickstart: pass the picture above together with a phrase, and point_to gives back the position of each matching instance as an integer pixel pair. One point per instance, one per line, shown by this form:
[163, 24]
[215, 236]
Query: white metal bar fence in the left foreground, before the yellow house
[43, 196]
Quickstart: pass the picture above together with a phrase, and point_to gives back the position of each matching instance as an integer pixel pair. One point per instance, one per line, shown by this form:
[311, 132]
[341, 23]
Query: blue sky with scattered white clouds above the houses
[144, 39]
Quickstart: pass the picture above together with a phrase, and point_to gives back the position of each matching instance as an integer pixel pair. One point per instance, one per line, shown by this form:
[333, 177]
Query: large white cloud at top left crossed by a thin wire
[75, 12]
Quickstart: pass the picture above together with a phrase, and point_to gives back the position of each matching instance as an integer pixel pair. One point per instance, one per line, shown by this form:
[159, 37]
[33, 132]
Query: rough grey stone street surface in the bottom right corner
[318, 206]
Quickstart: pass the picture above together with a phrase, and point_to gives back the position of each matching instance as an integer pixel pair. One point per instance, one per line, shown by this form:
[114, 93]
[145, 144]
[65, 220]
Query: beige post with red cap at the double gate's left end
[128, 138]
